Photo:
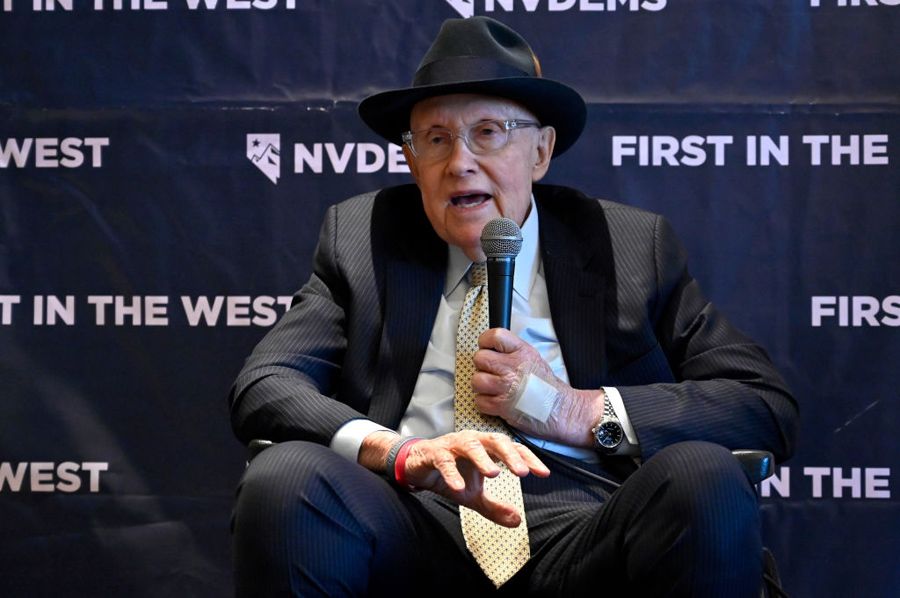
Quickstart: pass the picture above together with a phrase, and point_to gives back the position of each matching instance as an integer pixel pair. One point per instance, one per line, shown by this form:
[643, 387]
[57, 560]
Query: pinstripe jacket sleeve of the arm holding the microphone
[724, 388]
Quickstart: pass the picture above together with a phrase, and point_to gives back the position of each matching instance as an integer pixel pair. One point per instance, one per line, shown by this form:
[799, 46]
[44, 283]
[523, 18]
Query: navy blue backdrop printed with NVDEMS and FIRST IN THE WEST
[147, 242]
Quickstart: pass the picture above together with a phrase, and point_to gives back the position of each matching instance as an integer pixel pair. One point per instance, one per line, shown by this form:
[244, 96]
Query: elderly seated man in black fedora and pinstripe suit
[585, 450]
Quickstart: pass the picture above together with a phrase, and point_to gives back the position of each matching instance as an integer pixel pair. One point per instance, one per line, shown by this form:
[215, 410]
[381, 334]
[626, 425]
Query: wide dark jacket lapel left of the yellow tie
[410, 265]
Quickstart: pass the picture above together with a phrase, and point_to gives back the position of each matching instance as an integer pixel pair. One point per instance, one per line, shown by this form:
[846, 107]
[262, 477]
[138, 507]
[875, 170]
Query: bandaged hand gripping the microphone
[504, 363]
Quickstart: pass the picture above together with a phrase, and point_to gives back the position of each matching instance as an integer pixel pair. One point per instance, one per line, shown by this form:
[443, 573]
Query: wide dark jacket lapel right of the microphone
[581, 283]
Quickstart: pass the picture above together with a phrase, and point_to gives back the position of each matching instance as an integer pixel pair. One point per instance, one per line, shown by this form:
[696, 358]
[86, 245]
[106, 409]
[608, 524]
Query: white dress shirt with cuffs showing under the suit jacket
[430, 411]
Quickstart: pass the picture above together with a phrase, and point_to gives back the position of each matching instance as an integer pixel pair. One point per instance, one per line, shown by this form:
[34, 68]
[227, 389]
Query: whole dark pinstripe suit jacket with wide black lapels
[625, 309]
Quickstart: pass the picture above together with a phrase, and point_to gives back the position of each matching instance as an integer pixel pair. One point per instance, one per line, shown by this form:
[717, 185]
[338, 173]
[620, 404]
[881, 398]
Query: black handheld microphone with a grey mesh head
[501, 241]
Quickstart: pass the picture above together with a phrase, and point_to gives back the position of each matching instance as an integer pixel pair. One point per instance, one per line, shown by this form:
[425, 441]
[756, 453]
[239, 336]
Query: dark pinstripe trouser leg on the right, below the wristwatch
[685, 524]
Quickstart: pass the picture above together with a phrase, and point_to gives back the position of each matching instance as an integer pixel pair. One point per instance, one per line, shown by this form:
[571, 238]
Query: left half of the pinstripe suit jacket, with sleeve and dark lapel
[350, 333]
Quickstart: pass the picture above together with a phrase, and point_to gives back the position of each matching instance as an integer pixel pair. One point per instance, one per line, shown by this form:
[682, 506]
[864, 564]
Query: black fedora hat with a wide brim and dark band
[482, 56]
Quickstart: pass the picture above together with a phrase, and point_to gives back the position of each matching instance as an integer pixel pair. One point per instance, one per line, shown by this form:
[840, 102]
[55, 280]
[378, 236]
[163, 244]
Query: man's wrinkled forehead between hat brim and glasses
[456, 109]
